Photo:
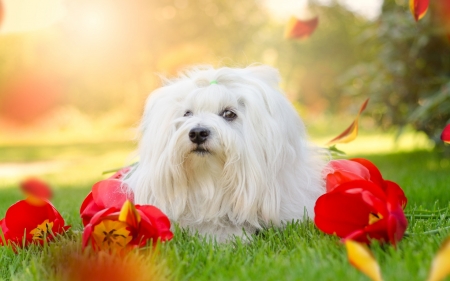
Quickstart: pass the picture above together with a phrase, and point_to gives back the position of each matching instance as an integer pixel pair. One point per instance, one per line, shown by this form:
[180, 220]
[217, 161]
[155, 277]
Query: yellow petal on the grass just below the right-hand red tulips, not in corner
[362, 259]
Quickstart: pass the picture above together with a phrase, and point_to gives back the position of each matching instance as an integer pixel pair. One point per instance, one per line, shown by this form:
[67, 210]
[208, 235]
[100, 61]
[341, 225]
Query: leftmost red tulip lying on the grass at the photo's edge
[31, 221]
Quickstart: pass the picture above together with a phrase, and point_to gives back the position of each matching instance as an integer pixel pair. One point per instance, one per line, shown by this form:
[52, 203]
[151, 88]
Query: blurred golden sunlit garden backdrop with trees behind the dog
[74, 74]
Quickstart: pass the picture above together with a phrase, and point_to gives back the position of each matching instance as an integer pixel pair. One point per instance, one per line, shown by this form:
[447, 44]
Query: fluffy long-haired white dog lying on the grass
[223, 152]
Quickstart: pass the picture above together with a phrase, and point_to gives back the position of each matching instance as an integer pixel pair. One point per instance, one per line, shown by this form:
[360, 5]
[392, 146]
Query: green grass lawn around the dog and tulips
[298, 252]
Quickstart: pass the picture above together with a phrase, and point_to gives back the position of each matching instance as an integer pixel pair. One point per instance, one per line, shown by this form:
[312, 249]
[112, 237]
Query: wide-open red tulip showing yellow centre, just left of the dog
[132, 226]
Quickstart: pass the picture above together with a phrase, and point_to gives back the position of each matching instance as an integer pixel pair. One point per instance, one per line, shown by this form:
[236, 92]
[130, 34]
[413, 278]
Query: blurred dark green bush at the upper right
[407, 75]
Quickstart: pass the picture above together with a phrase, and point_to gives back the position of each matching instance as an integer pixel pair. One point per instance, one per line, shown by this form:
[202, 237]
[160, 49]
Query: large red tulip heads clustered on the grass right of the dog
[359, 204]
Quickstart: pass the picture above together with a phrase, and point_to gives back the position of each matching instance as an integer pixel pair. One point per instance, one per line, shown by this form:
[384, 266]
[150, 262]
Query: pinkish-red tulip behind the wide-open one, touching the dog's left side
[105, 194]
